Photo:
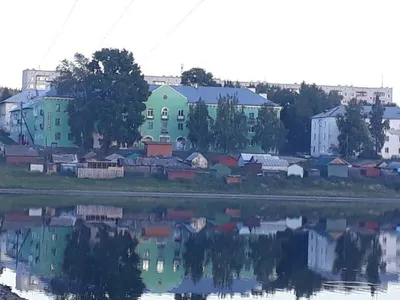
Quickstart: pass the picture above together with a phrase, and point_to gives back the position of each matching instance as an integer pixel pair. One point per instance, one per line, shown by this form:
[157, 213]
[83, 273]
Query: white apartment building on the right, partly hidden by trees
[325, 133]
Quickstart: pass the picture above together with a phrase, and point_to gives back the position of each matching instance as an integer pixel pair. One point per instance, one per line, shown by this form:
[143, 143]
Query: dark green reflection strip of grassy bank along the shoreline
[208, 207]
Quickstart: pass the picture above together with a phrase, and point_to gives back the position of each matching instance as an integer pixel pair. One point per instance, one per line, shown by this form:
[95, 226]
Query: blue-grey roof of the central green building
[210, 95]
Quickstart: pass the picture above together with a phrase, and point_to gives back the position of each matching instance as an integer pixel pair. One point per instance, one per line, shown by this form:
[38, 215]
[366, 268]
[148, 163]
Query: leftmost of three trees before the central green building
[198, 124]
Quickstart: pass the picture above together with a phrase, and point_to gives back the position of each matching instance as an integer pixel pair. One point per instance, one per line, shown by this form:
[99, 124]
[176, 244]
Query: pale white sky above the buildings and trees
[281, 41]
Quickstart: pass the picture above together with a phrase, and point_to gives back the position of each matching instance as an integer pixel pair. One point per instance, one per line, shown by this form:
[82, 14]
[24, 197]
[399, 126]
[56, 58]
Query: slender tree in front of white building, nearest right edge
[377, 126]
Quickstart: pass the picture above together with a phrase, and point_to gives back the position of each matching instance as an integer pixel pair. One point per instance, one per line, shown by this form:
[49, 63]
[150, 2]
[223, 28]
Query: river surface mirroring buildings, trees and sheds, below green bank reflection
[99, 252]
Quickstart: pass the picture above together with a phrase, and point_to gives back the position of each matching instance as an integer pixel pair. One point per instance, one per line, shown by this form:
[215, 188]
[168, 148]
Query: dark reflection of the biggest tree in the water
[108, 271]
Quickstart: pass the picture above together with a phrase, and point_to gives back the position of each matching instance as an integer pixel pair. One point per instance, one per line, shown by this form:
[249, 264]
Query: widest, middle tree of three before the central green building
[230, 128]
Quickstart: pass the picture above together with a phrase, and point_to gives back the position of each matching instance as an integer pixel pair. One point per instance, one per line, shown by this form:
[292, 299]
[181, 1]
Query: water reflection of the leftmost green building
[44, 249]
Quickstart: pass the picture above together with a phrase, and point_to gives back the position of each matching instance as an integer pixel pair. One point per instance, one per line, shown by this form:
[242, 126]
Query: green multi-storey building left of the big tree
[43, 122]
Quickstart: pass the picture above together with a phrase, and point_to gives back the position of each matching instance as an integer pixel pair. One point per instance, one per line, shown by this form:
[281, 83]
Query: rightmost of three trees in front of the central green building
[270, 132]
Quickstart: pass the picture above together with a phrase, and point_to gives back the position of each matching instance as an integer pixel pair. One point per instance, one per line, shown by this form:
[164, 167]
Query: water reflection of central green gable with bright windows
[161, 260]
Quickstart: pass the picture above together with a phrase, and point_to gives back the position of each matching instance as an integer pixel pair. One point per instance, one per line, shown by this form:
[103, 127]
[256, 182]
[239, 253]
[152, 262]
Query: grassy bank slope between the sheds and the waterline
[14, 177]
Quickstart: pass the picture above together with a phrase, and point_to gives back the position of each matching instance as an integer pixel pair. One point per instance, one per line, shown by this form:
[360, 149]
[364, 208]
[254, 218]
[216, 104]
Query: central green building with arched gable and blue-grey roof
[168, 106]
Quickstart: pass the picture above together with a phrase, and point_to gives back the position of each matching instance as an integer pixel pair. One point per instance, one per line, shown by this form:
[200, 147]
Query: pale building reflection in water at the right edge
[390, 243]
